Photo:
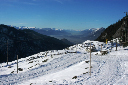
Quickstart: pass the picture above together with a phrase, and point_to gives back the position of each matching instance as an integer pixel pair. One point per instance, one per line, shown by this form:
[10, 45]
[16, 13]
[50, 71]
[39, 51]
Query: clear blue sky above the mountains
[62, 14]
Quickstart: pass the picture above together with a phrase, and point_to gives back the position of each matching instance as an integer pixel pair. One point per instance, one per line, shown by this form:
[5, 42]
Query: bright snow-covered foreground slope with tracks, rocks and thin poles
[70, 66]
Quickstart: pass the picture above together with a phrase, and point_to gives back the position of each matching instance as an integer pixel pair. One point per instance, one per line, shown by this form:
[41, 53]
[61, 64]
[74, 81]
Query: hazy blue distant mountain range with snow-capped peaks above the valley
[74, 36]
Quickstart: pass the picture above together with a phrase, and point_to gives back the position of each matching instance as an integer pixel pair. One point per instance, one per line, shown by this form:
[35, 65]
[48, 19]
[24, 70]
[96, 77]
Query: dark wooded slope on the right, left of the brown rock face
[110, 31]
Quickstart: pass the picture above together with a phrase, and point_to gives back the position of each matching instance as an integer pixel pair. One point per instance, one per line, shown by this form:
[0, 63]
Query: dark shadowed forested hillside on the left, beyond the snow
[25, 42]
